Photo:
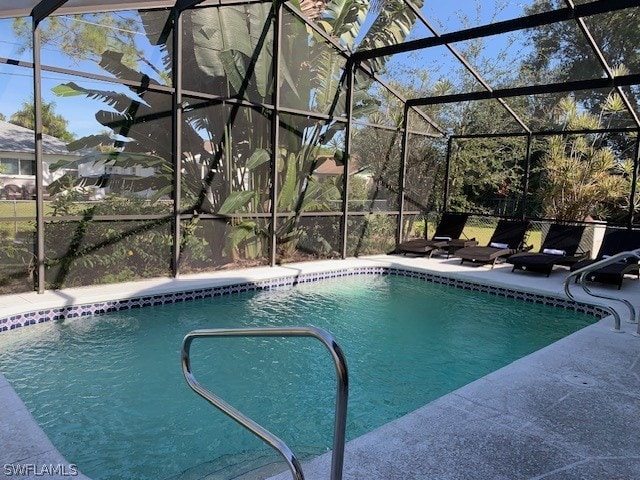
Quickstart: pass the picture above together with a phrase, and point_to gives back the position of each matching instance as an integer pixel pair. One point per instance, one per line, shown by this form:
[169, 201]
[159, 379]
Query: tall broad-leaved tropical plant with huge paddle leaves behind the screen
[228, 52]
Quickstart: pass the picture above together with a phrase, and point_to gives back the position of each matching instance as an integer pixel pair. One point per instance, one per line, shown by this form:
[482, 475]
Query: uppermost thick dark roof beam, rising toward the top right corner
[521, 23]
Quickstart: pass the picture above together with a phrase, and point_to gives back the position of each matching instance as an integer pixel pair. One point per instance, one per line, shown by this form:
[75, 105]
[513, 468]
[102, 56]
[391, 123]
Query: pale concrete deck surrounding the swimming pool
[568, 411]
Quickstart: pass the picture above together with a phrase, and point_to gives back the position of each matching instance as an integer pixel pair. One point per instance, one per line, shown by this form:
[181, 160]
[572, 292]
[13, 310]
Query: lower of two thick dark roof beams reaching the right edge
[563, 87]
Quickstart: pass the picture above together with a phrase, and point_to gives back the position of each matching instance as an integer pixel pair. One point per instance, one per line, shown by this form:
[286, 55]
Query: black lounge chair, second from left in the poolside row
[507, 239]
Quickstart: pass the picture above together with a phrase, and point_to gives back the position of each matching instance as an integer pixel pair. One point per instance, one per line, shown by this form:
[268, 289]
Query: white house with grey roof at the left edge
[17, 158]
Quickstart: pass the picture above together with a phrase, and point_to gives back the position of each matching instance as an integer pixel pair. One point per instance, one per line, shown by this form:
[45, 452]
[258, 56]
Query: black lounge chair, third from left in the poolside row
[560, 247]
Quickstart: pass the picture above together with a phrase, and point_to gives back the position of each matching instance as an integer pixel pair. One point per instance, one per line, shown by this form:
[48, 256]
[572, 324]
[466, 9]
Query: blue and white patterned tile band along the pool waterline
[82, 310]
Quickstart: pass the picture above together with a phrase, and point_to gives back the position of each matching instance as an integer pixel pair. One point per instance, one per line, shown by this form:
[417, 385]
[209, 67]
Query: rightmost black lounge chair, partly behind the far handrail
[614, 241]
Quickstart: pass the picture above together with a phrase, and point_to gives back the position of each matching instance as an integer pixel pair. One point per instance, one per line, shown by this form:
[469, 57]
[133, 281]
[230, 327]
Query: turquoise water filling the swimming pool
[108, 389]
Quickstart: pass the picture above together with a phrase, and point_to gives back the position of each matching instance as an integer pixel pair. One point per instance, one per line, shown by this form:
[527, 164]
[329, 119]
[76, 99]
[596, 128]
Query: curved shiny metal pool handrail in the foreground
[339, 360]
